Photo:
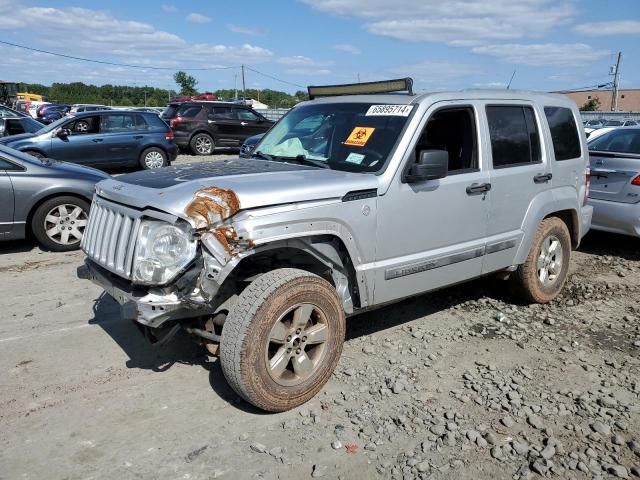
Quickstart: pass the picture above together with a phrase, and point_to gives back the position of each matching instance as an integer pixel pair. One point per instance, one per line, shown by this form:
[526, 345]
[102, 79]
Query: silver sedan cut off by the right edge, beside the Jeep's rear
[615, 181]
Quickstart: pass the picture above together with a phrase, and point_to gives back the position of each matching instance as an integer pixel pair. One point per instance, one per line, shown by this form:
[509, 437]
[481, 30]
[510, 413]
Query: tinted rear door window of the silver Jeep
[514, 135]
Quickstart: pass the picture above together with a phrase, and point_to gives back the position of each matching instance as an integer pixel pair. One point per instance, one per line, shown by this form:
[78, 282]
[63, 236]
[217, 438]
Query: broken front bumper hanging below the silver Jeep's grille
[151, 307]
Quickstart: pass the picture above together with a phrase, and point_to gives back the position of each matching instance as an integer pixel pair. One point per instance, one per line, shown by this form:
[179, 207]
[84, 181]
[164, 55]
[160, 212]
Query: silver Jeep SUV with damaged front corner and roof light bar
[357, 198]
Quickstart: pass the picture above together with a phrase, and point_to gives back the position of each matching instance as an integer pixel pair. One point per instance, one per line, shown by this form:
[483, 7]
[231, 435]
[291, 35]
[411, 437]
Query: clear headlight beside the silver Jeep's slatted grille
[162, 250]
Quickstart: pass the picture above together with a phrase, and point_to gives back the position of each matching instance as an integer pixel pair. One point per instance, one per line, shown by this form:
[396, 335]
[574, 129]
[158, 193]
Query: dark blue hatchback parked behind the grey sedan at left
[102, 139]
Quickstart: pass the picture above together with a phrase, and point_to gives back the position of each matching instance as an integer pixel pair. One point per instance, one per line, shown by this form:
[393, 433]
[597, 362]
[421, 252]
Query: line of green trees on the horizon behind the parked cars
[123, 95]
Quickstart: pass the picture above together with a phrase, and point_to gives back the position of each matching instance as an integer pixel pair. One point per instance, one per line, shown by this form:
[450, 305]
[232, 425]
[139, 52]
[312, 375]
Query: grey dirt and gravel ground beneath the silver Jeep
[463, 383]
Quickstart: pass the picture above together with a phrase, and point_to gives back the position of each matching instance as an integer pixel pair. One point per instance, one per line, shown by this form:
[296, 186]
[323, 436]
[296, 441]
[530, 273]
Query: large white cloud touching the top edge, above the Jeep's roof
[460, 22]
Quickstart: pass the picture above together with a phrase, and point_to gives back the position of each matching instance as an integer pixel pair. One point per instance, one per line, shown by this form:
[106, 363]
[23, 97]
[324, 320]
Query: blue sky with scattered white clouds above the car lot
[289, 44]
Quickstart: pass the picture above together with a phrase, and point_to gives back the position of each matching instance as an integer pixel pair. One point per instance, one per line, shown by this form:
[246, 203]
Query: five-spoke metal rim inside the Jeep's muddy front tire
[297, 345]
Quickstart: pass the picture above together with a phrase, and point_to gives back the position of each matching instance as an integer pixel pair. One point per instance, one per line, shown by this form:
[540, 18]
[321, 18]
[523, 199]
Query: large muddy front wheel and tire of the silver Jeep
[283, 339]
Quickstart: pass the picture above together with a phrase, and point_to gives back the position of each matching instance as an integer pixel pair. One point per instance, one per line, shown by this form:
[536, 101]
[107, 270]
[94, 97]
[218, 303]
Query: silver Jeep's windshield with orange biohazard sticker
[356, 137]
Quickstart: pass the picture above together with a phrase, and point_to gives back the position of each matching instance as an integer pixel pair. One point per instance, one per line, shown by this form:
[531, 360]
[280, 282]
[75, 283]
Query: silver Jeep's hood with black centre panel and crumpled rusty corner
[254, 183]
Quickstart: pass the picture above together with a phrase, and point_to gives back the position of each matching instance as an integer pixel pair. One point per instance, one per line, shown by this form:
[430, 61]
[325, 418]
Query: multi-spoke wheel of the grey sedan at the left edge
[58, 224]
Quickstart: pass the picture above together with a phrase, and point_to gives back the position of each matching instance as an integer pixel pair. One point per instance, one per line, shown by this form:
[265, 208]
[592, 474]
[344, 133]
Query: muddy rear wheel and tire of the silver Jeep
[541, 277]
